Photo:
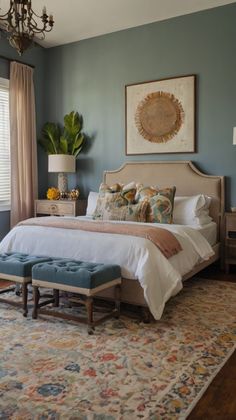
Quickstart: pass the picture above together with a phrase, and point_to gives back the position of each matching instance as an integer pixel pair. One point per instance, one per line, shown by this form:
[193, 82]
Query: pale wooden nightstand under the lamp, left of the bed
[60, 207]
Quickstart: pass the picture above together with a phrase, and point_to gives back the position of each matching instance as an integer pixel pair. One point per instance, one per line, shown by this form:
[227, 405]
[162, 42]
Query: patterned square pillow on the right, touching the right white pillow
[160, 203]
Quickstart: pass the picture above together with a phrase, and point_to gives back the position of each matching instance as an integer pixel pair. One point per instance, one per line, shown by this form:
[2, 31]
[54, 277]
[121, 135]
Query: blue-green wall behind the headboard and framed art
[90, 76]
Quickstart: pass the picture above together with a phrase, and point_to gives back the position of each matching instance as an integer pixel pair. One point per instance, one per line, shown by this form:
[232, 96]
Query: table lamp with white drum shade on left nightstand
[61, 164]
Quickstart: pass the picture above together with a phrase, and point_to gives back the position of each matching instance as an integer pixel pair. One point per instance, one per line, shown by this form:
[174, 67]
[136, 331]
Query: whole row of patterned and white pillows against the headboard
[119, 202]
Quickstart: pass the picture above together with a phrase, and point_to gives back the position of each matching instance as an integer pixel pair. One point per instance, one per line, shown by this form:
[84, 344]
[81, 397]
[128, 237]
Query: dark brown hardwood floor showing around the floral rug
[219, 400]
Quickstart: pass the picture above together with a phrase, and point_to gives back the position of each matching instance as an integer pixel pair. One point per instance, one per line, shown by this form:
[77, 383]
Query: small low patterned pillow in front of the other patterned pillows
[130, 213]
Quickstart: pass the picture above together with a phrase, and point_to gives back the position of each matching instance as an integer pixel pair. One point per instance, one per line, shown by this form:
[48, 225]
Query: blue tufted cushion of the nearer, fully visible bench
[77, 274]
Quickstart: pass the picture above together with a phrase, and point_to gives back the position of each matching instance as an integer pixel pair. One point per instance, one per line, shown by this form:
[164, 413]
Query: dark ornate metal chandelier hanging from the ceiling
[21, 26]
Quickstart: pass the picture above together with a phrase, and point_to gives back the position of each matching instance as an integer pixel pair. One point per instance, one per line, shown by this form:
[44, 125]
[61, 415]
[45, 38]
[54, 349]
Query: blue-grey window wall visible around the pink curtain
[34, 57]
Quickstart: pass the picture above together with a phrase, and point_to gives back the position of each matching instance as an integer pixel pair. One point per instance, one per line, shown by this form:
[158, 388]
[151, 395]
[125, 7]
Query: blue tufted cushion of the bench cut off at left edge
[17, 266]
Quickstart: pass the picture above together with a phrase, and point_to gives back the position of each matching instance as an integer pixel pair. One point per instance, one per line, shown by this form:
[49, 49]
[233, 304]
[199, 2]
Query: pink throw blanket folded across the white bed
[162, 238]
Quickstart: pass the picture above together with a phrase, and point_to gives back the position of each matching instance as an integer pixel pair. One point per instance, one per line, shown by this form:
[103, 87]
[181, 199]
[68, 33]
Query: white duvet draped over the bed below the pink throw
[139, 258]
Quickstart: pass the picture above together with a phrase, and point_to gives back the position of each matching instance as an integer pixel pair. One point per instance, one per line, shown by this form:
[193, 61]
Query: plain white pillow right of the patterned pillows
[193, 210]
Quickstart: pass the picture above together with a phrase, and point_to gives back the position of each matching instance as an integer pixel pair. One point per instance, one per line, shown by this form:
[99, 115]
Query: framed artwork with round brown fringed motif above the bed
[160, 116]
